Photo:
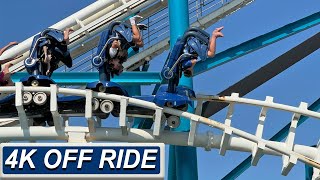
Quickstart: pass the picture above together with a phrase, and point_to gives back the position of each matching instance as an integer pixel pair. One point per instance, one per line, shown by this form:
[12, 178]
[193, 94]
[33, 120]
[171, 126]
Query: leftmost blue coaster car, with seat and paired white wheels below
[53, 41]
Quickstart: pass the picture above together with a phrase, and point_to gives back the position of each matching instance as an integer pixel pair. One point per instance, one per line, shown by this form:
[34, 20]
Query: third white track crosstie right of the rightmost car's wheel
[258, 149]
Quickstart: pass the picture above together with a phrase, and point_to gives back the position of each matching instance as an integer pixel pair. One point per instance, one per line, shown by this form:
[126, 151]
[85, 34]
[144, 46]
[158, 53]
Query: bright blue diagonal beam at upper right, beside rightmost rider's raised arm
[257, 43]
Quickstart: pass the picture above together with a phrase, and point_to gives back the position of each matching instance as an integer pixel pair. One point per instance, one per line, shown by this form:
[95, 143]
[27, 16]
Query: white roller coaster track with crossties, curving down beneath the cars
[231, 138]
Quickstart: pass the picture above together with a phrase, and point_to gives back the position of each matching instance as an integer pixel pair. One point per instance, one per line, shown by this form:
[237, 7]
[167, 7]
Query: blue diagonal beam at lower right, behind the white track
[244, 165]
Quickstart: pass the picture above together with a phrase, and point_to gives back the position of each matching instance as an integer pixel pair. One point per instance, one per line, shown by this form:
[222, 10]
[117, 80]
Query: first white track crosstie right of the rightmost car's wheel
[194, 124]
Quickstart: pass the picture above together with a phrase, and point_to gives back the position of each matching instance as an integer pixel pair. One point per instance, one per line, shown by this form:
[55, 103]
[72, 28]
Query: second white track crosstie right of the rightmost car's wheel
[228, 131]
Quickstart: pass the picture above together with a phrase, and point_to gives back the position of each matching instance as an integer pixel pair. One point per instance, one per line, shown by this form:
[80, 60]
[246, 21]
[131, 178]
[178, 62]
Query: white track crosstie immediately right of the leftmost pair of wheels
[57, 119]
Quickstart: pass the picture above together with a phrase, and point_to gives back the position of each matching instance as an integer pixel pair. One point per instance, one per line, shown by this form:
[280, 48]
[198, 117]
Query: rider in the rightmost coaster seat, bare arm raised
[211, 52]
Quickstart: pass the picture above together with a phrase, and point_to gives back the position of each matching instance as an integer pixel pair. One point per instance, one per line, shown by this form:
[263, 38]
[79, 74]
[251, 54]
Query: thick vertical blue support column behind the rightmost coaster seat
[182, 160]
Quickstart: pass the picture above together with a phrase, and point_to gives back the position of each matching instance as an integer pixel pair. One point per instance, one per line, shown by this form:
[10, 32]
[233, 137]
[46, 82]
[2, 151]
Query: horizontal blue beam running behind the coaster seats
[82, 78]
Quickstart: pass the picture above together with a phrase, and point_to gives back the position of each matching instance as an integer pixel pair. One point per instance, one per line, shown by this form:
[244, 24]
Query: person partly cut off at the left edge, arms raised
[5, 75]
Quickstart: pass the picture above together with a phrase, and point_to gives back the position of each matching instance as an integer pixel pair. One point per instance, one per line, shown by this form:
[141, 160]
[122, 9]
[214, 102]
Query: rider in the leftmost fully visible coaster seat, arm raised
[64, 46]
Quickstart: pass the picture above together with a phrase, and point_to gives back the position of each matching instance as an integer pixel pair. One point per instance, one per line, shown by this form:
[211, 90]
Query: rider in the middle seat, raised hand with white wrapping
[116, 54]
